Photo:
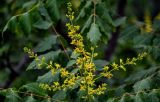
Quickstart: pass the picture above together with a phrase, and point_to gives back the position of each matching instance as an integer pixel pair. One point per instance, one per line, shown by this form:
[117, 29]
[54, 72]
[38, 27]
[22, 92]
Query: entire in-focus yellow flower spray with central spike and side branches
[86, 76]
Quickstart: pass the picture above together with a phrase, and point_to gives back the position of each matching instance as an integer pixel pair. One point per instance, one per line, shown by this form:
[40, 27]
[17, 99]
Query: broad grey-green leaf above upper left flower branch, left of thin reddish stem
[46, 44]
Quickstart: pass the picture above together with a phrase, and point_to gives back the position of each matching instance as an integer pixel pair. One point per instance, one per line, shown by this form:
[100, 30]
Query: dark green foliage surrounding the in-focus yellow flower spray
[123, 29]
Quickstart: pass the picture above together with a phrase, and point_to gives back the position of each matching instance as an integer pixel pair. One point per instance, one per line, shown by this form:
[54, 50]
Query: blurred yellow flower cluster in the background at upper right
[148, 22]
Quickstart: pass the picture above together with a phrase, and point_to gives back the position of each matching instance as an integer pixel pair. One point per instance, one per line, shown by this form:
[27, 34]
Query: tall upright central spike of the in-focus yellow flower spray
[84, 61]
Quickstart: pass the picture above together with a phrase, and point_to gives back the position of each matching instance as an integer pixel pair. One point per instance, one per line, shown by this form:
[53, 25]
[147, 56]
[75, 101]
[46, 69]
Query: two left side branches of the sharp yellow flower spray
[69, 80]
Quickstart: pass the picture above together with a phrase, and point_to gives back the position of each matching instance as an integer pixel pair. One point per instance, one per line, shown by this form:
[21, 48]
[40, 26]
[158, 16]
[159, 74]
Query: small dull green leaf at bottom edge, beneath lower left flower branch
[59, 95]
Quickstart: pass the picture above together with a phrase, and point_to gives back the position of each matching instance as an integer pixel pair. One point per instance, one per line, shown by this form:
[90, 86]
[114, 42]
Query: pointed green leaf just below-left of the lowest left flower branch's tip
[34, 88]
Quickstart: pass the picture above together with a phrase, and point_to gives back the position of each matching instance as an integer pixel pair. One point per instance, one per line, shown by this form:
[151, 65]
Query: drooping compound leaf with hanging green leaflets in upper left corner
[23, 22]
